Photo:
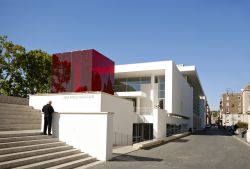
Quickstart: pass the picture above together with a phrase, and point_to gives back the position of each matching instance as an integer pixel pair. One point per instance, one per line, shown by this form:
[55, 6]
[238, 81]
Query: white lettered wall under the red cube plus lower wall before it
[84, 120]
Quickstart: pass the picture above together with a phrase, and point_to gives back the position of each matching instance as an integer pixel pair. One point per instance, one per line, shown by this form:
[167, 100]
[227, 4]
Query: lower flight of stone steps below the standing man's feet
[30, 149]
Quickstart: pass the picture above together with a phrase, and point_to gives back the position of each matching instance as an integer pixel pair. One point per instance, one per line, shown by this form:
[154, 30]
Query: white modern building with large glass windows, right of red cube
[172, 93]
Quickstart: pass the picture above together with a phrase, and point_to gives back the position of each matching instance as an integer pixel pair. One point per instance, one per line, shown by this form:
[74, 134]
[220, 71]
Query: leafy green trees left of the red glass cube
[21, 72]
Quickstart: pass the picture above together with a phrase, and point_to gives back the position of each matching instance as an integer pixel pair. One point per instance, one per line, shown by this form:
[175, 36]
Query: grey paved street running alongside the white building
[211, 149]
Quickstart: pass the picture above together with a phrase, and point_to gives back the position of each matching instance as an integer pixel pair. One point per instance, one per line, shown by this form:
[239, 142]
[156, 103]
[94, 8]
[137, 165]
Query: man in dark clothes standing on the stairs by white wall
[48, 110]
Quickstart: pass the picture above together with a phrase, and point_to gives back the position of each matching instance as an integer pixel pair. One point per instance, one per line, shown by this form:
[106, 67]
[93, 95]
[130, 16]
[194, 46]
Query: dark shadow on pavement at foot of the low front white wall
[134, 158]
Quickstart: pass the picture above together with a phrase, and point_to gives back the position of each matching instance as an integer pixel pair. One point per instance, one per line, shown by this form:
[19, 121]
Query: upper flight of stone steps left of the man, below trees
[19, 117]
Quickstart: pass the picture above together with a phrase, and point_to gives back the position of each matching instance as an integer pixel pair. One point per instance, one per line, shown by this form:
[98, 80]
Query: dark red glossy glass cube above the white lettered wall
[80, 71]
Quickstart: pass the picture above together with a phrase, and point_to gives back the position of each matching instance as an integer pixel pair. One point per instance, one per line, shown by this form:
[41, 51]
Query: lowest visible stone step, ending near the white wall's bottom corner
[76, 163]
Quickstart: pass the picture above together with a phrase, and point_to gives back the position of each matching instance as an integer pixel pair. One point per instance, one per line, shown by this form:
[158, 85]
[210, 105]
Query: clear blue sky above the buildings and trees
[213, 35]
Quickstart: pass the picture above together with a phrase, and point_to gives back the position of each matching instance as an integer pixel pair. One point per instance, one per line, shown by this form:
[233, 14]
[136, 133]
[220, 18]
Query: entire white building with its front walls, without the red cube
[152, 101]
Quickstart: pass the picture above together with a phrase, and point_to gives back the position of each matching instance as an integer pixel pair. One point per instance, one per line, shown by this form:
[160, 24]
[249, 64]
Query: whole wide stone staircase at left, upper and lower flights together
[22, 145]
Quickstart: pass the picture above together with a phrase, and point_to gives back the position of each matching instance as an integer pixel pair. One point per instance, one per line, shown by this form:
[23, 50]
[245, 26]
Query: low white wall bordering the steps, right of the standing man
[89, 132]
